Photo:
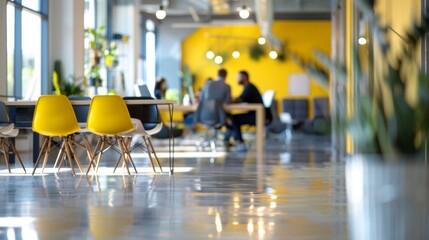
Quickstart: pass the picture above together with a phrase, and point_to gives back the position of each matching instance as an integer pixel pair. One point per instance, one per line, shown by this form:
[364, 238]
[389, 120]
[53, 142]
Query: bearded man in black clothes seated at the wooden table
[250, 94]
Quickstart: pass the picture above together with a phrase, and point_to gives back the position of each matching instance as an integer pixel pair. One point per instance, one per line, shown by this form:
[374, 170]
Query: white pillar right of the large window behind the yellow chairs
[66, 36]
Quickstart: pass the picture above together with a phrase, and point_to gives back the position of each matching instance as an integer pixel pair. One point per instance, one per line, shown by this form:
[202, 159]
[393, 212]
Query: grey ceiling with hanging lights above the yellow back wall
[210, 11]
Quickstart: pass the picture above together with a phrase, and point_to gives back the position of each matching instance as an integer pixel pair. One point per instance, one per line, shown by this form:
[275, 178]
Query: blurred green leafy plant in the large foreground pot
[391, 114]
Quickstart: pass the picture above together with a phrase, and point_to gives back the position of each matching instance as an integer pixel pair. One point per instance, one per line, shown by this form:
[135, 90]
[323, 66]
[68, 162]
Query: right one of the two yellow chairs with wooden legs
[108, 117]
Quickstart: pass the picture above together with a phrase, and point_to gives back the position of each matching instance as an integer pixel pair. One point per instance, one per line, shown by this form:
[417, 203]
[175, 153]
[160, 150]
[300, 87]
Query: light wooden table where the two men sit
[260, 118]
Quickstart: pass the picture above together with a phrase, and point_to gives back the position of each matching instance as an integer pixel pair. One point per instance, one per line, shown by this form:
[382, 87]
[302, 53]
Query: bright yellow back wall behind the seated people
[300, 37]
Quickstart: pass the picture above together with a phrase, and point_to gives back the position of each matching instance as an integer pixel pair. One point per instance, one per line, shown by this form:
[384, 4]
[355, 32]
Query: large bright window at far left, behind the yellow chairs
[27, 48]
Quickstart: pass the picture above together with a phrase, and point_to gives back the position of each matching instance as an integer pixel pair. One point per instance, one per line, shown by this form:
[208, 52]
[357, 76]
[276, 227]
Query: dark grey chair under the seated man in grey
[211, 114]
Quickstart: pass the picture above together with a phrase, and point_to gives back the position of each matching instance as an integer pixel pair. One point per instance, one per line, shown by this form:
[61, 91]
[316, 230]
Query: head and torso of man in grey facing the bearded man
[217, 89]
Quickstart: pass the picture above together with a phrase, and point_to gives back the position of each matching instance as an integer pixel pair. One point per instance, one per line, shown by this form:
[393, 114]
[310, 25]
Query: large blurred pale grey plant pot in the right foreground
[387, 199]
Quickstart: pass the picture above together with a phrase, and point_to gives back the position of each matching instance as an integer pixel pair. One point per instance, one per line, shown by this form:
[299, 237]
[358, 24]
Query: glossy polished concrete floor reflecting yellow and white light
[296, 191]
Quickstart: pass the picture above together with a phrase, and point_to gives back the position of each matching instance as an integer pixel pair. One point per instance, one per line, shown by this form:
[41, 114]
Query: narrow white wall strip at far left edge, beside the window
[3, 48]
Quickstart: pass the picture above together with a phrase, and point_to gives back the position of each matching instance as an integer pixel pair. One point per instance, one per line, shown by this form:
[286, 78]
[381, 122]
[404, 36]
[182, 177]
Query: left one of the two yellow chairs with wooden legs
[54, 117]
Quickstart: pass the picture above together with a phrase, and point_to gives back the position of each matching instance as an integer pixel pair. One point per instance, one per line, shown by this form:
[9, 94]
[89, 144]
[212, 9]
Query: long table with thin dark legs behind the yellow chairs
[21, 114]
